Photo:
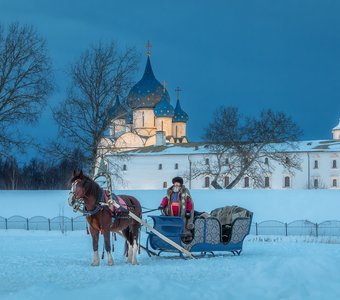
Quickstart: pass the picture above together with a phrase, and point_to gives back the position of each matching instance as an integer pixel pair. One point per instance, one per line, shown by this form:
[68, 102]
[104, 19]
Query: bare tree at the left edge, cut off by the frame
[25, 82]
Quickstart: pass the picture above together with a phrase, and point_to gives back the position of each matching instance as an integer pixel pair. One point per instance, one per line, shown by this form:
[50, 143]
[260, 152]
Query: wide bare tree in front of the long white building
[246, 147]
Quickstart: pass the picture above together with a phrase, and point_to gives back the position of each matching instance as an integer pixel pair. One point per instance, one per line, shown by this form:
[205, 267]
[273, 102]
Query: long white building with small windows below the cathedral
[153, 167]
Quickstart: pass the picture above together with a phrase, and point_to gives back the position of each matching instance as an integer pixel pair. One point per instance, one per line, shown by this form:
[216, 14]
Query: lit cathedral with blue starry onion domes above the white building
[147, 118]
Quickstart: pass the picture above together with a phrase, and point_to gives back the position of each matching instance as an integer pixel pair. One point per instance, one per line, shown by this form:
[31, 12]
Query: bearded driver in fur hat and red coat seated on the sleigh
[178, 202]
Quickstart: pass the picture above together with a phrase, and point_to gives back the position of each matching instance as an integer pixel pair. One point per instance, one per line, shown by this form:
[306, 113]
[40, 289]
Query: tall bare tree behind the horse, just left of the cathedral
[101, 73]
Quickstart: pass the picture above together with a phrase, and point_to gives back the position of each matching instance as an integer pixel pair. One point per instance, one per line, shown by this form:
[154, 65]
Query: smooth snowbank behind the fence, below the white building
[281, 205]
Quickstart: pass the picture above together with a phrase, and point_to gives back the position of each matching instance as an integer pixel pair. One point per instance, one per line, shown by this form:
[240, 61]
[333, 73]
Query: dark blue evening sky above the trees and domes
[255, 54]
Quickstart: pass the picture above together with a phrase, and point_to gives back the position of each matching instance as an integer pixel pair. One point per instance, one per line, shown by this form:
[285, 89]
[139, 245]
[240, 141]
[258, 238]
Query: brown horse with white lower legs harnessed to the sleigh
[100, 217]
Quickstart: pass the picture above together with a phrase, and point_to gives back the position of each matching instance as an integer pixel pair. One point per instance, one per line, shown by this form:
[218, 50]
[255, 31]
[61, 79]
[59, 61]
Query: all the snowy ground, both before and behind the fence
[51, 265]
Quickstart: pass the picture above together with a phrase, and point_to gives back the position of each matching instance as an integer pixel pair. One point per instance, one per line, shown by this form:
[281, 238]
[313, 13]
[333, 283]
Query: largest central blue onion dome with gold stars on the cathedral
[147, 92]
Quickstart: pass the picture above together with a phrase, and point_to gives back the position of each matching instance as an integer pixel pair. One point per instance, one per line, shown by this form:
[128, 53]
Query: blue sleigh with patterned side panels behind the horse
[209, 236]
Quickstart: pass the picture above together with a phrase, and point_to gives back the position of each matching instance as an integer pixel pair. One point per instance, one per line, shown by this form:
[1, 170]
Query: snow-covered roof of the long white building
[202, 148]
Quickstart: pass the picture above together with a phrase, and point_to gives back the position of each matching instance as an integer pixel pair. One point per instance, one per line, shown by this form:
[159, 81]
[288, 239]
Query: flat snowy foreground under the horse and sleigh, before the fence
[50, 265]
